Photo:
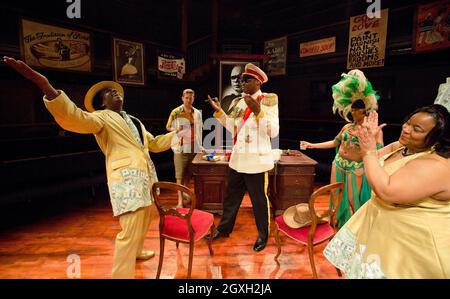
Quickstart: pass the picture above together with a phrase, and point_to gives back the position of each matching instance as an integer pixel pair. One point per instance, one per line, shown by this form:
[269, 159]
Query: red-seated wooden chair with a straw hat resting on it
[319, 231]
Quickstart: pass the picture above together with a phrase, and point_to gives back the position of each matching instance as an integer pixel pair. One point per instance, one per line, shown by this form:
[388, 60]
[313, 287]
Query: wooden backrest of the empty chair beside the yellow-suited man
[163, 211]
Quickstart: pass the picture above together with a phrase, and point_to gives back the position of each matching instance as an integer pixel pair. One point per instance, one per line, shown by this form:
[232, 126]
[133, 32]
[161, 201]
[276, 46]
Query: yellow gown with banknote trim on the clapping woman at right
[385, 240]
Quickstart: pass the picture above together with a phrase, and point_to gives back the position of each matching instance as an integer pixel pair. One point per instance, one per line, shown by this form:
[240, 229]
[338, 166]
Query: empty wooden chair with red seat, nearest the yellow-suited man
[185, 225]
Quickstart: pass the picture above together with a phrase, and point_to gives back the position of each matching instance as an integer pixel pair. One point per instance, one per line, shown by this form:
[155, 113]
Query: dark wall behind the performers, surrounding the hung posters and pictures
[40, 161]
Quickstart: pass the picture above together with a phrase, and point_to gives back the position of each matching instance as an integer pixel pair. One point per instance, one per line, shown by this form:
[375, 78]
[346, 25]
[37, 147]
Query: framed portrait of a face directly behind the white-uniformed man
[228, 84]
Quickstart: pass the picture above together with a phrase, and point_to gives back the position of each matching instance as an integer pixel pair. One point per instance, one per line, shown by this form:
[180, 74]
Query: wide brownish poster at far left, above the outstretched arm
[55, 47]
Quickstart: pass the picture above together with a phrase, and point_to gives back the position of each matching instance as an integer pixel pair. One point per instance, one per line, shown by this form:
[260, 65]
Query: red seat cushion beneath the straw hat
[323, 232]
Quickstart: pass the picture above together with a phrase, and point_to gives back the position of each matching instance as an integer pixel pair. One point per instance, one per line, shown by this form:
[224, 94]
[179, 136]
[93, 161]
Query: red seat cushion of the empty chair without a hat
[175, 227]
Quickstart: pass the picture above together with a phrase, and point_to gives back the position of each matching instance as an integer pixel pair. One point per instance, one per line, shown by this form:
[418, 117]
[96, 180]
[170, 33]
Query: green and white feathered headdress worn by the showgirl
[352, 87]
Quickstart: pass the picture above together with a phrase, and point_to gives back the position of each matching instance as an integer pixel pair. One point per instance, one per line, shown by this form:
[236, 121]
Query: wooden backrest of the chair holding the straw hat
[336, 191]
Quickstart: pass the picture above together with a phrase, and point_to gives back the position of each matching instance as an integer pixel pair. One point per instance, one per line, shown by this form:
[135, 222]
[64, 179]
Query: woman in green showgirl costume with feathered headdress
[354, 95]
